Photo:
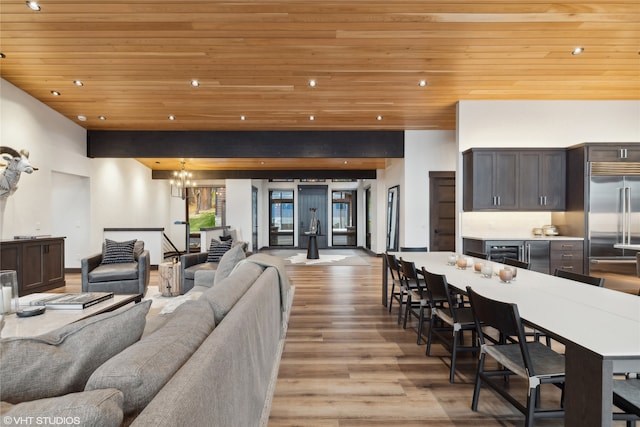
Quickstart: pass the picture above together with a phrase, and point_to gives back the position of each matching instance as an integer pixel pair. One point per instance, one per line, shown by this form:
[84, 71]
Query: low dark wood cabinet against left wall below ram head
[38, 262]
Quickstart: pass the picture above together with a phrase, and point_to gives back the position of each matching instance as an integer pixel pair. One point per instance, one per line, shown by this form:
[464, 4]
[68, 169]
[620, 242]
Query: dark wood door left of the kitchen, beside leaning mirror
[442, 211]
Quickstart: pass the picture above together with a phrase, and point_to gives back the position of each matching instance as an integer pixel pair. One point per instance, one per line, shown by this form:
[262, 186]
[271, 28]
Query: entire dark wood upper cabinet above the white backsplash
[514, 179]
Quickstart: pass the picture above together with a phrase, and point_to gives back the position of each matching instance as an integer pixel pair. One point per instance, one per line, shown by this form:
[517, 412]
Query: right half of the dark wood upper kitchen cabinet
[542, 180]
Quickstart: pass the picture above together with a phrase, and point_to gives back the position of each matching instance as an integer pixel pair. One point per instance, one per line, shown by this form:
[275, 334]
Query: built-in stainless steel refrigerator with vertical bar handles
[614, 218]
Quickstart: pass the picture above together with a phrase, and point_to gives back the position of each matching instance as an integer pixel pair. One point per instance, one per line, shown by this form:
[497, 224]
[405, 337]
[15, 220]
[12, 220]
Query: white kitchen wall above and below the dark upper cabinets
[535, 124]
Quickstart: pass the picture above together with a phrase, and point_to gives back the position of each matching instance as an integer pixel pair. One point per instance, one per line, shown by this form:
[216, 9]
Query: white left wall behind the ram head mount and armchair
[121, 194]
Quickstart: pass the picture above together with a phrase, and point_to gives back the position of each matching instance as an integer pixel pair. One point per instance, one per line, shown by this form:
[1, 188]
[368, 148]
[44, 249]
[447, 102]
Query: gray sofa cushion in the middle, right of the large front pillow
[141, 370]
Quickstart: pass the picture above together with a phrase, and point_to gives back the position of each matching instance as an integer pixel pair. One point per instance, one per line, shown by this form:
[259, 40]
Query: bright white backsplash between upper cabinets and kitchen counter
[502, 224]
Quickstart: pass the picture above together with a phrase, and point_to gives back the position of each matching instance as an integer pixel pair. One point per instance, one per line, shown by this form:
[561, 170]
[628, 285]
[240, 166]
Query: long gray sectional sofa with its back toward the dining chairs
[213, 361]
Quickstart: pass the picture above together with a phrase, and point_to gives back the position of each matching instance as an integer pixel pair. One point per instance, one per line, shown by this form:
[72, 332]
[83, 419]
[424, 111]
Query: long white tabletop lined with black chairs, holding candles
[602, 320]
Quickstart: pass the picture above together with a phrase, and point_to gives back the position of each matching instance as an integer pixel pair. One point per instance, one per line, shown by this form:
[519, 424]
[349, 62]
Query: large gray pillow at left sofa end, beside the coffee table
[62, 361]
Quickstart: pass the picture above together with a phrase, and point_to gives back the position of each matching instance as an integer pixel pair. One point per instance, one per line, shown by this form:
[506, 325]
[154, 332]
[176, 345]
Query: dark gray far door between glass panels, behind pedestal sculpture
[313, 197]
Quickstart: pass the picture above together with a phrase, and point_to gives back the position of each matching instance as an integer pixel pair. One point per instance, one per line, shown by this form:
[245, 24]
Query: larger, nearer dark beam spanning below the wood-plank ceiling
[222, 144]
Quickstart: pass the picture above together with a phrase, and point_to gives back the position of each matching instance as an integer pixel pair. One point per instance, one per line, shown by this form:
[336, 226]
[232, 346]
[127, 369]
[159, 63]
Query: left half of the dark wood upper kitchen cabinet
[490, 179]
